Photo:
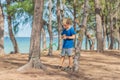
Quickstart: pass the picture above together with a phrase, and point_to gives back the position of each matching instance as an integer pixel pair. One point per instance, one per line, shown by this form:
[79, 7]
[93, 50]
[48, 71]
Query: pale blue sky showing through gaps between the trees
[25, 30]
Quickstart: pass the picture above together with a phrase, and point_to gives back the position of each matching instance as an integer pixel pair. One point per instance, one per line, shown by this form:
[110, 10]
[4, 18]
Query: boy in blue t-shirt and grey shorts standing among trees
[68, 34]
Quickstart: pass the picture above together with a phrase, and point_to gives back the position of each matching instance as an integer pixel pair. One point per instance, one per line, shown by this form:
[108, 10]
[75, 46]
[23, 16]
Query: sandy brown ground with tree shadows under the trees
[93, 66]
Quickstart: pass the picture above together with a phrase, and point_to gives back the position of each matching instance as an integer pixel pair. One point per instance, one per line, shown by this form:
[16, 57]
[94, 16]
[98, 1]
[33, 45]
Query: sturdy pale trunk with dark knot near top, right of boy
[99, 26]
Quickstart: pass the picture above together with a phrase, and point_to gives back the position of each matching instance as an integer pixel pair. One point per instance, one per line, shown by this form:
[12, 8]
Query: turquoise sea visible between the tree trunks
[24, 44]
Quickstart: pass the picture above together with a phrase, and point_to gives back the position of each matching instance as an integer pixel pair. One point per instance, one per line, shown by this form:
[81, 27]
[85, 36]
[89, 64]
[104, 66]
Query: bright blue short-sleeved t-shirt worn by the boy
[68, 43]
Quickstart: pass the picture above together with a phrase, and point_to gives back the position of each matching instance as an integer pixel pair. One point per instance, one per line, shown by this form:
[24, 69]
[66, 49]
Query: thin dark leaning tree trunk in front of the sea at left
[12, 37]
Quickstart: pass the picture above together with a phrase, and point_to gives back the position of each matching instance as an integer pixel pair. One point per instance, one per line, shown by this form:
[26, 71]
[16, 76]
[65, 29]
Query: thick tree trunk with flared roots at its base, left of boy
[35, 39]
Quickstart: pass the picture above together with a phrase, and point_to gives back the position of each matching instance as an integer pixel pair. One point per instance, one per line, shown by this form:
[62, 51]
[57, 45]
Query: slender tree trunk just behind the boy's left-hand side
[59, 26]
